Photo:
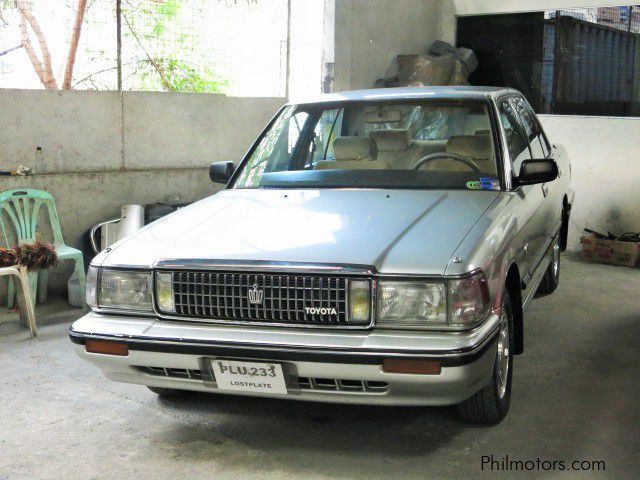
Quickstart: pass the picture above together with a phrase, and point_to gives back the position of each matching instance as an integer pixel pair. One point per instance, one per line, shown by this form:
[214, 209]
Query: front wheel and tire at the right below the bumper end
[491, 404]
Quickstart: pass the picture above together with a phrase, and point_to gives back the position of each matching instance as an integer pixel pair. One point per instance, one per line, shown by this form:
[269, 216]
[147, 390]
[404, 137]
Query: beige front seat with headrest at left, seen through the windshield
[352, 153]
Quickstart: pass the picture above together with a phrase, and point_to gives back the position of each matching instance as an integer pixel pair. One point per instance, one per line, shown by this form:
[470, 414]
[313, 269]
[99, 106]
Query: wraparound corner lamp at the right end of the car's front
[468, 300]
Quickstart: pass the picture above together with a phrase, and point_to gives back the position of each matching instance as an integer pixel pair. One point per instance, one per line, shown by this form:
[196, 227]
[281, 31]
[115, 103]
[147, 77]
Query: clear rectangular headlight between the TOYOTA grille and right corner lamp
[411, 304]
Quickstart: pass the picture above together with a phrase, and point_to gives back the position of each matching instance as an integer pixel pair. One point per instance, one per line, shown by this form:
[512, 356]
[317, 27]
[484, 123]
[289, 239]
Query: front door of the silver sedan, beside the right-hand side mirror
[530, 216]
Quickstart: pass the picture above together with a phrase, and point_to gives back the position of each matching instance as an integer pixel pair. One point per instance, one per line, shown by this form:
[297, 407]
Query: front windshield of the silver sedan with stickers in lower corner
[418, 144]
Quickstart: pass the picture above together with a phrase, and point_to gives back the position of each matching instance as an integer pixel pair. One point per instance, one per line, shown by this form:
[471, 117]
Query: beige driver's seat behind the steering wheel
[477, 148]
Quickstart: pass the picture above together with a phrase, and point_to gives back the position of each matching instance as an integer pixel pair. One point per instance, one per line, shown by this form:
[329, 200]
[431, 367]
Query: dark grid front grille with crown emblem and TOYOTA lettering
[265, 298]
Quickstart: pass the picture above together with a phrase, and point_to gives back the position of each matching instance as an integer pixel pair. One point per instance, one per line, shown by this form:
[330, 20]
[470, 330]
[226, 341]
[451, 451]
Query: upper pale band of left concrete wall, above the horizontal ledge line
[82, 131]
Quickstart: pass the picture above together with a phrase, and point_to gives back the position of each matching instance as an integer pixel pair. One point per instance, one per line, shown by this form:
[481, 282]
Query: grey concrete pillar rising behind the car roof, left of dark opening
[369, 34]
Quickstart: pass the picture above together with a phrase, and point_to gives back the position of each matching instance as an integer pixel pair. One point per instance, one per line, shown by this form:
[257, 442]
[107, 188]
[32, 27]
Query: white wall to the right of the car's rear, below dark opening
[605, 152]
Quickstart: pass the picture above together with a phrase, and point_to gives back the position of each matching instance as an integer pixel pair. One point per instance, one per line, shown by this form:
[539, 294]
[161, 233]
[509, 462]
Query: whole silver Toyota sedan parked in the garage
[372, 247]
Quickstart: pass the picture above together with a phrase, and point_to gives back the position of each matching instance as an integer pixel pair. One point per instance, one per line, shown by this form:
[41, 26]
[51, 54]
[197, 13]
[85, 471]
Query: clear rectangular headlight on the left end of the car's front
[121, 289]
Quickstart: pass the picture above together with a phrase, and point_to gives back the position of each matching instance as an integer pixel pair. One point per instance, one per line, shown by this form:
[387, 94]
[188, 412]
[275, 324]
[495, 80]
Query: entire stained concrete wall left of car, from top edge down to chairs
[96, 151]
